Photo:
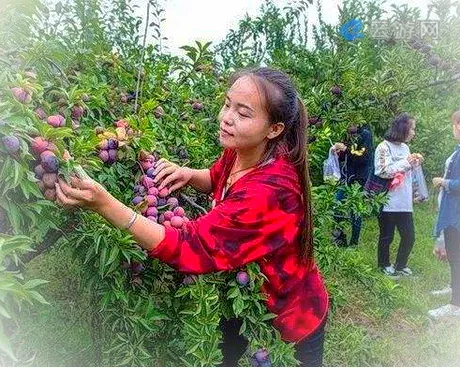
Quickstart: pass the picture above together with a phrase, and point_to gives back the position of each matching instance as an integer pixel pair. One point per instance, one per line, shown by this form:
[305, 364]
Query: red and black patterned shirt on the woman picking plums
[259, 220]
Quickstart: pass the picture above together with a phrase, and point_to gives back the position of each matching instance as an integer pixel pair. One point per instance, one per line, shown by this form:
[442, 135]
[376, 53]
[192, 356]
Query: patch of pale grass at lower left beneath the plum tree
[56, 334]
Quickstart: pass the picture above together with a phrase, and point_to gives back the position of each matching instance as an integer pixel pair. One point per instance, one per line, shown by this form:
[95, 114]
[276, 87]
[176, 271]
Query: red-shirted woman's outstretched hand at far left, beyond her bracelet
[85, 193]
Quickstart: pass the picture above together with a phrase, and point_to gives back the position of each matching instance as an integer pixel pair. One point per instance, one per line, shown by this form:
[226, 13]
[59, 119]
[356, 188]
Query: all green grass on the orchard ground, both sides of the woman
[375, 321]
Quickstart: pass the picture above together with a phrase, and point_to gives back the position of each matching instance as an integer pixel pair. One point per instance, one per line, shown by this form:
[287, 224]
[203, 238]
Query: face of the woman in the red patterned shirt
[244, 121]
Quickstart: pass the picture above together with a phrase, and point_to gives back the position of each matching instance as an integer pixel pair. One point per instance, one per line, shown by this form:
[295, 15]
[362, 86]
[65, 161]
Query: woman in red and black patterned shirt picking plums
[261, 210]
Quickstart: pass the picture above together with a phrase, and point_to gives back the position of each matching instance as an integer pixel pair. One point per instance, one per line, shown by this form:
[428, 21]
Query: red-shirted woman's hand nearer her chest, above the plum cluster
[168, 173]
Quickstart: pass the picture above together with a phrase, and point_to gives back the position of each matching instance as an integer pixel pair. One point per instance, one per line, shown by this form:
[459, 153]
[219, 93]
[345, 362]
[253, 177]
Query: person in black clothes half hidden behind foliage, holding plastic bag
[356, 162]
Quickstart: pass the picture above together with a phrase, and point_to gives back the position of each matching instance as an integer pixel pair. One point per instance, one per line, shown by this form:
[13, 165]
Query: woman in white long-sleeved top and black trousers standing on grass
[394, 161]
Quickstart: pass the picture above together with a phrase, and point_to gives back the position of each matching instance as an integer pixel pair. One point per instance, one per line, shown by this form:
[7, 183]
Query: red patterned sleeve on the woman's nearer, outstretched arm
[250, 223]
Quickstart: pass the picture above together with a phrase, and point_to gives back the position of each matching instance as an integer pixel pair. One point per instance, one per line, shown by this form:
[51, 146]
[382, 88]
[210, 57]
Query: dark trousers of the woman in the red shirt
[308, 351]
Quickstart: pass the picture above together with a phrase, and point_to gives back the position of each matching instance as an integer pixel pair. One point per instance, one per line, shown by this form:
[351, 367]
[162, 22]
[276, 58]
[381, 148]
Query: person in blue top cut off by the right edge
[449, 223]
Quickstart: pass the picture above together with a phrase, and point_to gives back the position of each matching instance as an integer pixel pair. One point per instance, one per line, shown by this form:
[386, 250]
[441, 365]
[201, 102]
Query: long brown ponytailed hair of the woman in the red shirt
[284, 104]
